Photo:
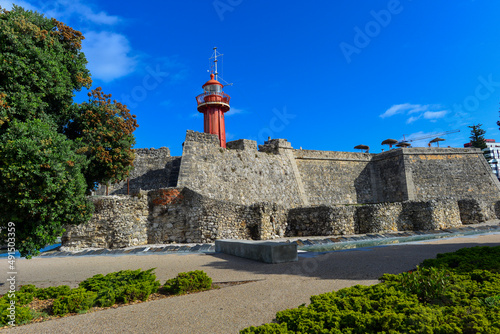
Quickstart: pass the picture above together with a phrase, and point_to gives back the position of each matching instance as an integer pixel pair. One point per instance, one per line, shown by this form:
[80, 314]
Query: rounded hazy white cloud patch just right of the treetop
[108, 55]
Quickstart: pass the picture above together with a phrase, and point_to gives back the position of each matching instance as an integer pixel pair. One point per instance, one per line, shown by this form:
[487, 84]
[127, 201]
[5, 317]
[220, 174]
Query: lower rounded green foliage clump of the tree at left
[41, 184]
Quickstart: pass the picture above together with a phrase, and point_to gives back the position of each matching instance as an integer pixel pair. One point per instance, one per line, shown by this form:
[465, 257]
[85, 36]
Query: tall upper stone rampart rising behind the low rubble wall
[277, 173]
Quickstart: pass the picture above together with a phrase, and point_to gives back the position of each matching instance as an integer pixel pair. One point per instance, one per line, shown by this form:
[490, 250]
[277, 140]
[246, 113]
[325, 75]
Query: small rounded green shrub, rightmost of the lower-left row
[191, 281]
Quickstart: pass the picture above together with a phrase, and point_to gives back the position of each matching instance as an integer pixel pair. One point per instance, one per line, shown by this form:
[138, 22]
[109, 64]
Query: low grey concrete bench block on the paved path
[264, 251]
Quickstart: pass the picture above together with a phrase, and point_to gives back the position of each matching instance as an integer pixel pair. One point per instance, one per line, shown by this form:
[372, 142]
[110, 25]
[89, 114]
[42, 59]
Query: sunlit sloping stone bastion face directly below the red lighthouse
[243, 176]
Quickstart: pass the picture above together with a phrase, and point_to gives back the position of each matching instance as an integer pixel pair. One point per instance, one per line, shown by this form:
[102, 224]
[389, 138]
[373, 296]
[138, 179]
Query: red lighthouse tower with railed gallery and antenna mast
[213, 103]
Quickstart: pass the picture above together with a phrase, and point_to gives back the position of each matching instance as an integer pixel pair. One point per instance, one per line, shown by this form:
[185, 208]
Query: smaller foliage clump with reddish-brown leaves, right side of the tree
[105, 132]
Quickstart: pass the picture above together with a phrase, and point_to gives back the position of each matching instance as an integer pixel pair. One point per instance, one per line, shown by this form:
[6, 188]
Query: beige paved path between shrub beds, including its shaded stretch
[230, 309]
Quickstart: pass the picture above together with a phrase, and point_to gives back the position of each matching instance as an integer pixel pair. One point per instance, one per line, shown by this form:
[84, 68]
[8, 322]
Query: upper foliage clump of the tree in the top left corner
[41, 65]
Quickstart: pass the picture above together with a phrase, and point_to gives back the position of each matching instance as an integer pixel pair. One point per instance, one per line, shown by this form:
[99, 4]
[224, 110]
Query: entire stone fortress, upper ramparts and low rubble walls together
[247, 193]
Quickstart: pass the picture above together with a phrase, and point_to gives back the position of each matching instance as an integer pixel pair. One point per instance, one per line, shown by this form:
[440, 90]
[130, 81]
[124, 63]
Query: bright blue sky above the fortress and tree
[326, 75]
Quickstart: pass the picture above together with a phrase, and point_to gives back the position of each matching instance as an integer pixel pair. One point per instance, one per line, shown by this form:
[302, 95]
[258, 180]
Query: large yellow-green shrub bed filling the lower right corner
[454, 297]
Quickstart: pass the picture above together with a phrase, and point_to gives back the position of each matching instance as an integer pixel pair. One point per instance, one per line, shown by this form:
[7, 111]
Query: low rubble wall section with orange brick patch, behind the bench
[183, 215]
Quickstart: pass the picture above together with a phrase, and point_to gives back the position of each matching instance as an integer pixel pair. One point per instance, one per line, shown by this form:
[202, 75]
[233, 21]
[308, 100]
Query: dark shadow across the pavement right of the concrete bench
[356, 264]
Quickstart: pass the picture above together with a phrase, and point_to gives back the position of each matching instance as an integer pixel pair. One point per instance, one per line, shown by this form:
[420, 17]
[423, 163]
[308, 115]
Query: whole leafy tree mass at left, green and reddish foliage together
[52, 151]
